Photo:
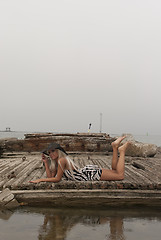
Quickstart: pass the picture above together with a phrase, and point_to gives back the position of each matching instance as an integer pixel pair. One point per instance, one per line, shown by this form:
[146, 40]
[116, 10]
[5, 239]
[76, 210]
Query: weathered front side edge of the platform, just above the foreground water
[88, 198]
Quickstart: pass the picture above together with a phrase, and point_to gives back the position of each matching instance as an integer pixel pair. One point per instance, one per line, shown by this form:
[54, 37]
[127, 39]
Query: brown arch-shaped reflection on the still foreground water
[57, 225]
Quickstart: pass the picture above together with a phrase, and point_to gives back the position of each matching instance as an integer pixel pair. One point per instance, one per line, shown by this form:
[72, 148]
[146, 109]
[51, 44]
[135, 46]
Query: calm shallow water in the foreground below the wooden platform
[80, 224]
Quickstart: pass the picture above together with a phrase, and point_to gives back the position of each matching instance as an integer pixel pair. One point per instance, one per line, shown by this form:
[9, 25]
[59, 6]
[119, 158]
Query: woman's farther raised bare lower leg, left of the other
[115, 146]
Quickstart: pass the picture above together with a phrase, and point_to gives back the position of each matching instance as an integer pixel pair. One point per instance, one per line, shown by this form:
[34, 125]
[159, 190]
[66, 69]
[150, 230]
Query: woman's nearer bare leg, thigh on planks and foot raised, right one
[117, 174]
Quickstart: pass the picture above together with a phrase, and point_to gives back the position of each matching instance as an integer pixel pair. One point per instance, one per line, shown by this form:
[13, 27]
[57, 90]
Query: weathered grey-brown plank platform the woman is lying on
[141, 186]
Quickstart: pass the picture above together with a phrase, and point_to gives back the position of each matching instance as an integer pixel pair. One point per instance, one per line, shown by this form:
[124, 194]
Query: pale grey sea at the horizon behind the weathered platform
[154, 139]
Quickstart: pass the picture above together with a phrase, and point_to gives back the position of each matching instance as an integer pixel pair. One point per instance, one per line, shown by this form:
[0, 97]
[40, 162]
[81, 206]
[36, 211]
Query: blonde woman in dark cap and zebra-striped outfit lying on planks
[63, 166]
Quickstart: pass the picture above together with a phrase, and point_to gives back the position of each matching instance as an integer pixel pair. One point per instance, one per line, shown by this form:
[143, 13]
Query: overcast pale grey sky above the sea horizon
[62, 63]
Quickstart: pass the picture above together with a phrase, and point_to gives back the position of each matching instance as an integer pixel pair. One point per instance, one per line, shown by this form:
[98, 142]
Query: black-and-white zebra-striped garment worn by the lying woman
[87, 173]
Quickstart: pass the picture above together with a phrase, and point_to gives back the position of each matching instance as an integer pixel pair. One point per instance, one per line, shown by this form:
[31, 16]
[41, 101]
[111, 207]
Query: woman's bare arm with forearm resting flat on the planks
[59, 175]
